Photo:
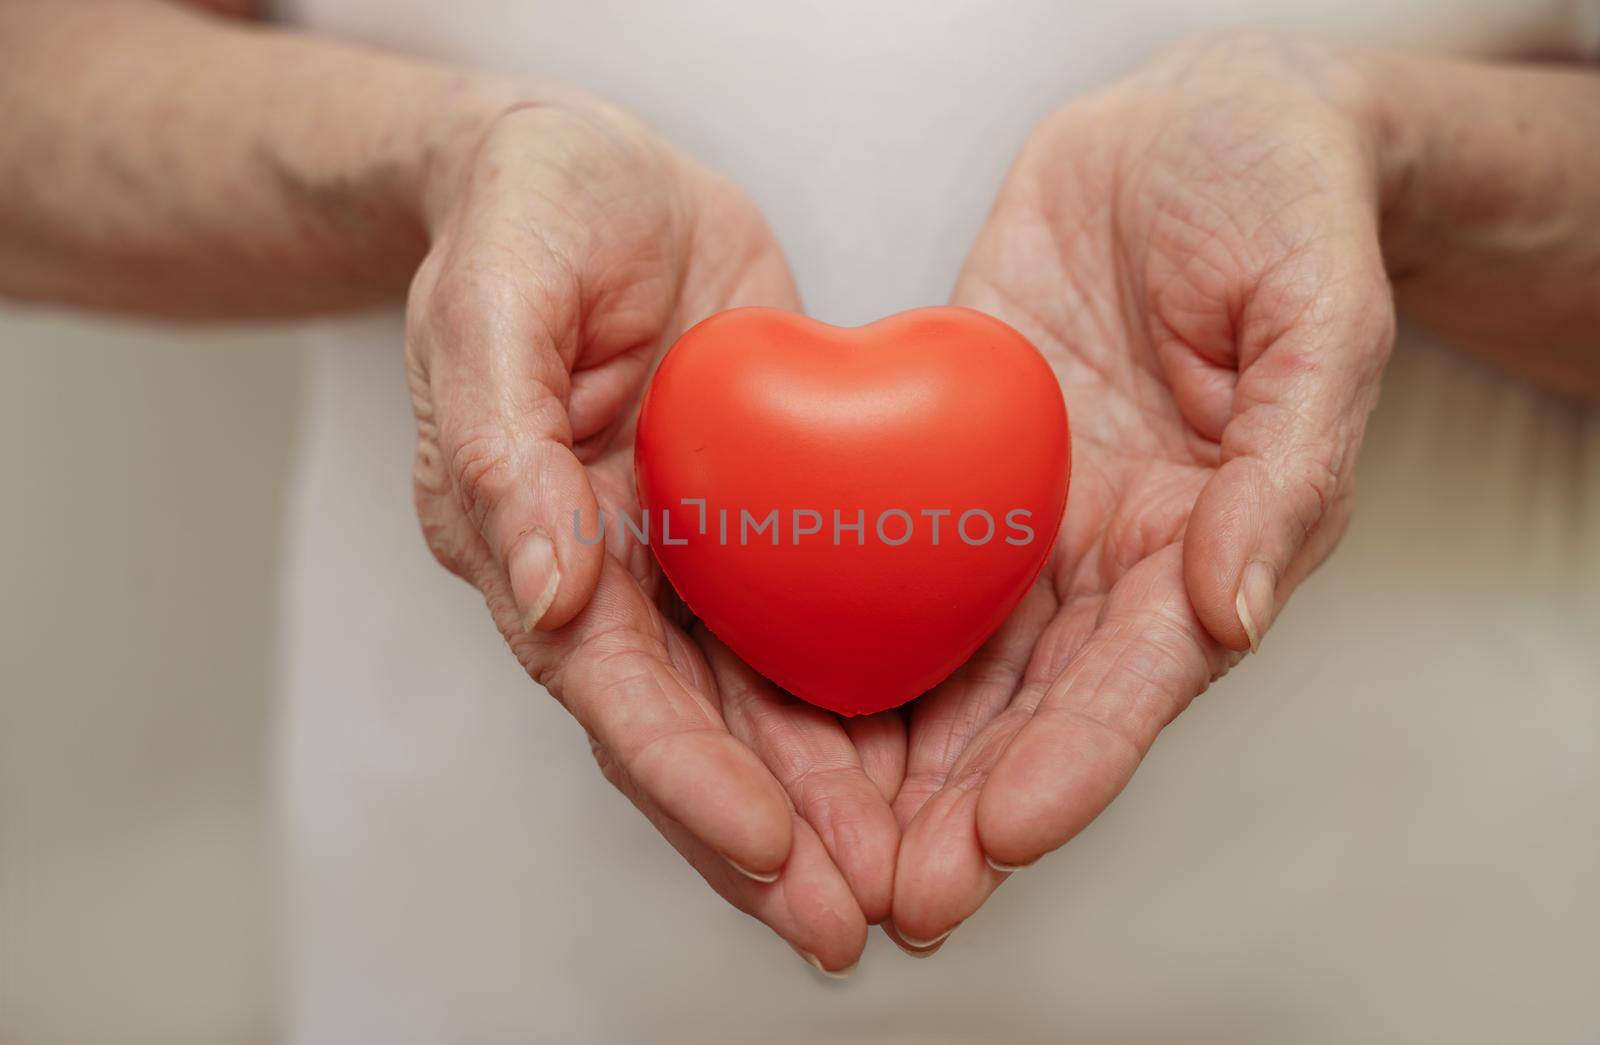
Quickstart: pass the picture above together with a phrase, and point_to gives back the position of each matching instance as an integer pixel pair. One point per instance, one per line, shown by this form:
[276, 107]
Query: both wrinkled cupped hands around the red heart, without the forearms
[1194, 250]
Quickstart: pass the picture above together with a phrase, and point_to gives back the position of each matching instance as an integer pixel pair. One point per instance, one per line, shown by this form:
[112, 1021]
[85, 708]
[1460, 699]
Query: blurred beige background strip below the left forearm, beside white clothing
[145, 473]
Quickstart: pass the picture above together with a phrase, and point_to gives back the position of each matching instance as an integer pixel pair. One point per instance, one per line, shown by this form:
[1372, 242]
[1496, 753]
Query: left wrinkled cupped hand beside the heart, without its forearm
[570, 249]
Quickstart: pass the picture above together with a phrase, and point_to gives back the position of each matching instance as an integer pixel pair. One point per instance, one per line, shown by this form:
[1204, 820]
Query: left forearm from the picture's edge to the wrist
[175, 164]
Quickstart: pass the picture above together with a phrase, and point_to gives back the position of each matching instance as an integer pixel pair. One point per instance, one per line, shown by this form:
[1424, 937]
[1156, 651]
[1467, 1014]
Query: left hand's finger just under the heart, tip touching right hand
[822, 772]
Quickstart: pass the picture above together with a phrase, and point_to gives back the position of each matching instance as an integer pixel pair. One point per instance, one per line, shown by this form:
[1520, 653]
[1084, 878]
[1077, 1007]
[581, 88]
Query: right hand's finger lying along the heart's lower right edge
[945, 721]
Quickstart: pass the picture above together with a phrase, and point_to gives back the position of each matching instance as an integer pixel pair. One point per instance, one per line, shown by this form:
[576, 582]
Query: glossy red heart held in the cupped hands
[889, 425]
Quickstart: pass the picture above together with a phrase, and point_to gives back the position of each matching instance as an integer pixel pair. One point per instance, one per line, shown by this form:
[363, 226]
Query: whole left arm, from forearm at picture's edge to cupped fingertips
[554, 247]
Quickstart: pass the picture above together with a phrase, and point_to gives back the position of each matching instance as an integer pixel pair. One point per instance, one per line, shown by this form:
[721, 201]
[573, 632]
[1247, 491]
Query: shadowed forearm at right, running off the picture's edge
[1492, 209]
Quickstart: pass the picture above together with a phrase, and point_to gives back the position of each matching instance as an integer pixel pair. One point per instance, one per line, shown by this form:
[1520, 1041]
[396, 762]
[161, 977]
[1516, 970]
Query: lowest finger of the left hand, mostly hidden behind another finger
[810, 907]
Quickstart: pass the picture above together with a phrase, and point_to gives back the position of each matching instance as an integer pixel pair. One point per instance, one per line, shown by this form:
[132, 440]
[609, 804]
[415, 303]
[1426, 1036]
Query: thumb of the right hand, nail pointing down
[1289, 455]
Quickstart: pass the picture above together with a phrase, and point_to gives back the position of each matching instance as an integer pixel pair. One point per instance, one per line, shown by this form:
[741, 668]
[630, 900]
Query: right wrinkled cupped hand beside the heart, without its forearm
[1196, 252]
